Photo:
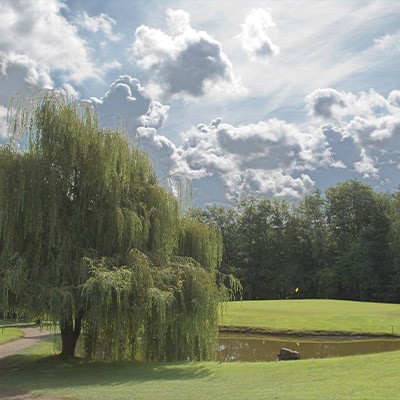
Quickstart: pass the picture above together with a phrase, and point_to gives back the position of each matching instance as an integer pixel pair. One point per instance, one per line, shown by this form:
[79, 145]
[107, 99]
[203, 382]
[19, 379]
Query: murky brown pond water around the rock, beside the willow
[234, 347]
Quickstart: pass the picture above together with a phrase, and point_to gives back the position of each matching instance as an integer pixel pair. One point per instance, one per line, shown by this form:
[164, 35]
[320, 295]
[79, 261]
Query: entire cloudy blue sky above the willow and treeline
[271, 98]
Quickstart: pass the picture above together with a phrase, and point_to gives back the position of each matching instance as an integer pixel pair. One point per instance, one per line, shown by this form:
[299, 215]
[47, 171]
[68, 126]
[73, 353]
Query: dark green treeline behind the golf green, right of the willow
[340, 244]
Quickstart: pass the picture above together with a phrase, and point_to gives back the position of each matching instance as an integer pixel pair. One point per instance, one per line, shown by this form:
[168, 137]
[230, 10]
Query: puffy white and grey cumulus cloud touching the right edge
[368, 125]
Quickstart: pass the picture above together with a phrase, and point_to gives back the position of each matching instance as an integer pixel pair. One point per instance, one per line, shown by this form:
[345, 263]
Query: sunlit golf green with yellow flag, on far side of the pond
[315, 315]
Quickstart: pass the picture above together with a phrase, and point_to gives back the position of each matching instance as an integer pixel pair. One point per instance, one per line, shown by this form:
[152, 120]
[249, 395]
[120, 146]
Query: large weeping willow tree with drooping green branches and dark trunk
[90, 241]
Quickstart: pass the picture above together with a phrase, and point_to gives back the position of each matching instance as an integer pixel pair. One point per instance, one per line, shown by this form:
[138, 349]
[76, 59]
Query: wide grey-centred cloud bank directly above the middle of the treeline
[268, 158]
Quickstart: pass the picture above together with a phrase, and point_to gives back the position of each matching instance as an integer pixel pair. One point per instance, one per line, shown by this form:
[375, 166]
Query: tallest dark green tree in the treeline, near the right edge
[359, 232]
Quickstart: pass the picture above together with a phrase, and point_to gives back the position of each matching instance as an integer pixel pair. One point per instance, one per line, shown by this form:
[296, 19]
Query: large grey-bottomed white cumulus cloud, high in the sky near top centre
[184, 62]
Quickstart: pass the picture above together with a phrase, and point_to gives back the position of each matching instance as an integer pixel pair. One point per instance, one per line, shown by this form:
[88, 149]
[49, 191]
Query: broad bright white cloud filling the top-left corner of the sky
[38, 30]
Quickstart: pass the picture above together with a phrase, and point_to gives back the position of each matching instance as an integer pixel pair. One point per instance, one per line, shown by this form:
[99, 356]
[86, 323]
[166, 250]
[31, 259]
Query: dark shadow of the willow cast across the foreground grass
[33, 372]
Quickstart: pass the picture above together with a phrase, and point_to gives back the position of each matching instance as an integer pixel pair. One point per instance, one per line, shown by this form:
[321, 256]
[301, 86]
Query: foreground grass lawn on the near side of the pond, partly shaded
[358, 377]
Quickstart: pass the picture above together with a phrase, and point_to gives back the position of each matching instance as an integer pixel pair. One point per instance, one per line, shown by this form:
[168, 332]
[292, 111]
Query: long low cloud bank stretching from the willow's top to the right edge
[358, 133]
